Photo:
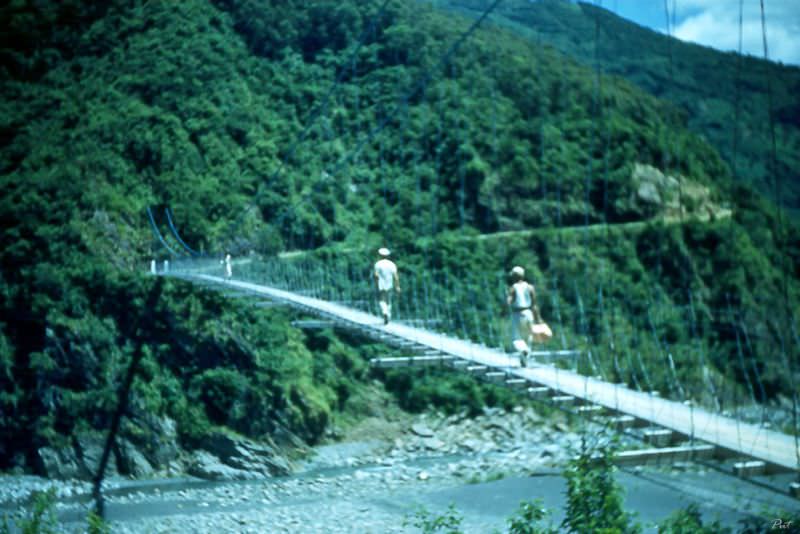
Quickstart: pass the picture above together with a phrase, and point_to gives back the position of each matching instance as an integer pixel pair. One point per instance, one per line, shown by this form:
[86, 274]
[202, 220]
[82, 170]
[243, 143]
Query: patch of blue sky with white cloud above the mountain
[715, 23]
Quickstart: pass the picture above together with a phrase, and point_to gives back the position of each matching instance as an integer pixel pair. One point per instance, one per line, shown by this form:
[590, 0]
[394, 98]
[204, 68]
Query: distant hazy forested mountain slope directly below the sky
[733, 101]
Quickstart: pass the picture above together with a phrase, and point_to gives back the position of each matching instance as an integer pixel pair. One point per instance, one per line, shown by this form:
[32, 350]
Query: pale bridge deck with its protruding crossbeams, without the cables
[662, 422]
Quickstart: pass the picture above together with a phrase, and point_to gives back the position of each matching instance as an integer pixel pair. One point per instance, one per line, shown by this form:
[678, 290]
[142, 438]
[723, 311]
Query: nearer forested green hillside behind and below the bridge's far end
[202, 106]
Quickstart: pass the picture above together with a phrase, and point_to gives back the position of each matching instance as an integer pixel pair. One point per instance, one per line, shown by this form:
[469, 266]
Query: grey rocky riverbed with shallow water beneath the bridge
[380, 476]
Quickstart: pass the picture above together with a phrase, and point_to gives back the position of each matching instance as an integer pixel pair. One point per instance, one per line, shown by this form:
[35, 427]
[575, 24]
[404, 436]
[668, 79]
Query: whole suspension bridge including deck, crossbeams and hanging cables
[675, 428]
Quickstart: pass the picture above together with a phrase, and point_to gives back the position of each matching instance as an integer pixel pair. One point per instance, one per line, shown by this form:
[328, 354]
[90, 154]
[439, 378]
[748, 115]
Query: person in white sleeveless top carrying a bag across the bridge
[526, 323]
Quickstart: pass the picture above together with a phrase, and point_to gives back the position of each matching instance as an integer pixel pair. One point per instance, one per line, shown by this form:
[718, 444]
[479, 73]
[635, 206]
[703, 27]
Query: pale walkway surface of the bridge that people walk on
[695, 423]
